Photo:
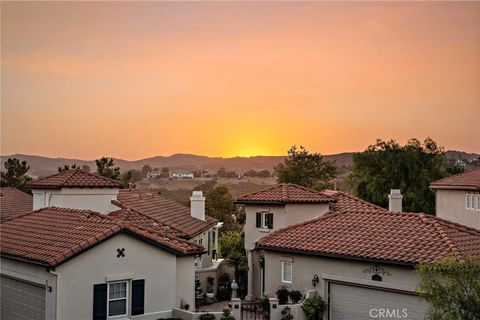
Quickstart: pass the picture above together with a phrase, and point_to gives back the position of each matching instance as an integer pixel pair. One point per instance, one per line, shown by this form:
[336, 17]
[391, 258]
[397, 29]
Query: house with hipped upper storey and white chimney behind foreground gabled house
[76, 189]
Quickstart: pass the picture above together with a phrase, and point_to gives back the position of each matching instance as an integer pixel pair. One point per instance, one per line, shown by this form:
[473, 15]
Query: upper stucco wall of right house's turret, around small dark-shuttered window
[283, 215]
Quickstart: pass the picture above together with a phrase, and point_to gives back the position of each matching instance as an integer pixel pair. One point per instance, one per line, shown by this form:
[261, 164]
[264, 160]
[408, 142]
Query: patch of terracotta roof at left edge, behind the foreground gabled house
[14, 202]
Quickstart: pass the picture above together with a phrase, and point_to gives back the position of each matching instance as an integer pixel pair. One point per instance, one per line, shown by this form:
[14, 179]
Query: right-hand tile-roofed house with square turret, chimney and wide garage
[357, 256]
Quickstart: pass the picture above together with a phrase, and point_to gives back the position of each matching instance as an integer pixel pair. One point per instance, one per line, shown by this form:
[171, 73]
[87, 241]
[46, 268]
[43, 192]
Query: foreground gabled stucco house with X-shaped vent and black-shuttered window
[59, 263]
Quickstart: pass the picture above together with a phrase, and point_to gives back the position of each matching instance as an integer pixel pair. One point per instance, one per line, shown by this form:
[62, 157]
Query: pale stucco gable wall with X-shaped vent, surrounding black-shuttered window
[163, 291]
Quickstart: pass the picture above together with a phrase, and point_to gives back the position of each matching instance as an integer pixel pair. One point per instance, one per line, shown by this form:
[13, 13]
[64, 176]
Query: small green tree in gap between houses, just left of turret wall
[233, 251]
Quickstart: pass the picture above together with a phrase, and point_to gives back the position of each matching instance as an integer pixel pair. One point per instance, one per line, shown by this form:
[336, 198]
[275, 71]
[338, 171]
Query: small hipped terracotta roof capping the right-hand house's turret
[285, 193]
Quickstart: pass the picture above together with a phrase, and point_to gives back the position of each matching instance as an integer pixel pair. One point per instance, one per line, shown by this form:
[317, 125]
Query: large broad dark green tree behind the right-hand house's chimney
[388, 165]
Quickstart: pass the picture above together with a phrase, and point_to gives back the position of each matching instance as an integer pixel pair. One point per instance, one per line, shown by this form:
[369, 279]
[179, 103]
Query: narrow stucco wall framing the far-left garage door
[34, 274]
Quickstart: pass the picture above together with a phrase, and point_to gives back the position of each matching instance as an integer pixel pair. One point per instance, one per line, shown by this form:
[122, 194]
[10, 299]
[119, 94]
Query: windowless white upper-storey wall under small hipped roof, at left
[96, 199]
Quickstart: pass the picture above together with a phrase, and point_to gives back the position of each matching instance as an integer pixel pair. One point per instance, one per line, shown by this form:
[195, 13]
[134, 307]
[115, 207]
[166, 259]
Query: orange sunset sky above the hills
[134, 80]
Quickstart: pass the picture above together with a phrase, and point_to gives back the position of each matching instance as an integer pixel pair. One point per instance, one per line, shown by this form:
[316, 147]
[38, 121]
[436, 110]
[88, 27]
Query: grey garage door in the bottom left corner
[21, 300]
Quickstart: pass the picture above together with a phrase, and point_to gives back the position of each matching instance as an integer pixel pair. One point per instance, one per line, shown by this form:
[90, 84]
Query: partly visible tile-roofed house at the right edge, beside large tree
[457, 198]
